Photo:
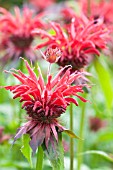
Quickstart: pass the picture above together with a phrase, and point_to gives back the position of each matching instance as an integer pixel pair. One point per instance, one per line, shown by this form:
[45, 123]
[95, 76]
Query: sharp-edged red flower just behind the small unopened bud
[78, 42]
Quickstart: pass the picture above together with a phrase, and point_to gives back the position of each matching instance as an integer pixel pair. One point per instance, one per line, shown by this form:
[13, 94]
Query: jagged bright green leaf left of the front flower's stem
[26, 150]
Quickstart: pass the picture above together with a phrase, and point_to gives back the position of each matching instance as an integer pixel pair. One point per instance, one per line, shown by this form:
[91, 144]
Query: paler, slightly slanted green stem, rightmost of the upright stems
[81, 134]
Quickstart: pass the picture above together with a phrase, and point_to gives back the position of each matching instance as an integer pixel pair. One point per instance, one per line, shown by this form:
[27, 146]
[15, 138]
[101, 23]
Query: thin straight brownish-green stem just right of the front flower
[71, 139]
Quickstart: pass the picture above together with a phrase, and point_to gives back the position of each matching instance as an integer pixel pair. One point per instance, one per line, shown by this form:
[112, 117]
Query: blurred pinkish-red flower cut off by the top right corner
[101, 9]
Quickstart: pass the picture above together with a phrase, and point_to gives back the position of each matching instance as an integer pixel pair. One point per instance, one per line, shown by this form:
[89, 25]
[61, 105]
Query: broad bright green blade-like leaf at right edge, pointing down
[105, 81]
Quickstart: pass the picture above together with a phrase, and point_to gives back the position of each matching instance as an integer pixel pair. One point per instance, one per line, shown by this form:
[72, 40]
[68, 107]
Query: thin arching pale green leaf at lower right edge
[108, 157]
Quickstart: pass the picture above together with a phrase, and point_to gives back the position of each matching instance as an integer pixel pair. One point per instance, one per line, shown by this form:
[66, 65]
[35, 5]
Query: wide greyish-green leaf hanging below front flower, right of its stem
[56, 153]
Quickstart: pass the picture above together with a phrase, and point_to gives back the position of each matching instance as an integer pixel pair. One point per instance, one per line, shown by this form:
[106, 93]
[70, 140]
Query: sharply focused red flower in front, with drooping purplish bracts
[44, 102]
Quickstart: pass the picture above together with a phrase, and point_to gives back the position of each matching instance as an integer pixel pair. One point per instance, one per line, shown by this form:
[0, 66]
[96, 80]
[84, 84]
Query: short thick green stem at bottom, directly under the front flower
[40, 155]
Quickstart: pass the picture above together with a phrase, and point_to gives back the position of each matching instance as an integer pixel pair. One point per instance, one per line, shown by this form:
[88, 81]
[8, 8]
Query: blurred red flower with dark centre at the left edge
[17, 32]
